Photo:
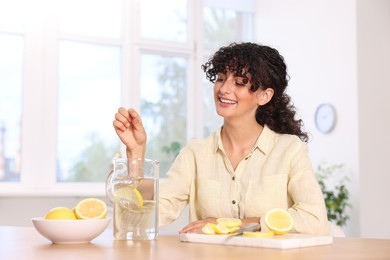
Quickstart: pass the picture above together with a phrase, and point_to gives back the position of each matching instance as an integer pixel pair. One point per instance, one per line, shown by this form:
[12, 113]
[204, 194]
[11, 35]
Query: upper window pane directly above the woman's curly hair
[223, 26]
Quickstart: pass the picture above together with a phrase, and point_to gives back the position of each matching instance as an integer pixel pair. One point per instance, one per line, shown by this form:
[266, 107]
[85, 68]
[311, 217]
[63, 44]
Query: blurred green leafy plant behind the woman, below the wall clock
[333, 183]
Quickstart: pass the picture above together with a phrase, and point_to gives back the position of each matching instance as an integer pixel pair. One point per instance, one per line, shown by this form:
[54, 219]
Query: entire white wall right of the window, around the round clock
[322, 42]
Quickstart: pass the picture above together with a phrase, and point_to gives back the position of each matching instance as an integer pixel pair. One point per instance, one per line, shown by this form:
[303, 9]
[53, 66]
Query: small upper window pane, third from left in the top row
[164, 20]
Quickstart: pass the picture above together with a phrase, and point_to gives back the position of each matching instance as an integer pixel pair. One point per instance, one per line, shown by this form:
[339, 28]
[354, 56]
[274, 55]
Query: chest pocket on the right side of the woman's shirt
[270, 192]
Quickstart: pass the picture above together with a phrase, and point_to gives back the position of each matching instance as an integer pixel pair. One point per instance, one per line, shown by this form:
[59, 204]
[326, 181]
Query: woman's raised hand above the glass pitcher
[129, 128]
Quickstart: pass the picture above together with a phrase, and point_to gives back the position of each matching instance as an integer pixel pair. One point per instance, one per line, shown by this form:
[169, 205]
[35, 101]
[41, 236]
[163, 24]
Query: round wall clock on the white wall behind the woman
[325, 118]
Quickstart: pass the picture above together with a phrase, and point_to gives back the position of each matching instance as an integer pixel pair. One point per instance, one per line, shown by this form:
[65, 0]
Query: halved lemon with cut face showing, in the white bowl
[91, 208]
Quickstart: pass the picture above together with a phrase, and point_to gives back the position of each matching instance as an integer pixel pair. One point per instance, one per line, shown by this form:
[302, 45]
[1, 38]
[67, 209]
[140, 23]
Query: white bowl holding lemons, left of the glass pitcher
[70, 231]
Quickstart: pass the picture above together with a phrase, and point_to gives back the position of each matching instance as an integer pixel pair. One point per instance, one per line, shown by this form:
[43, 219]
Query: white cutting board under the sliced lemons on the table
[283, 241]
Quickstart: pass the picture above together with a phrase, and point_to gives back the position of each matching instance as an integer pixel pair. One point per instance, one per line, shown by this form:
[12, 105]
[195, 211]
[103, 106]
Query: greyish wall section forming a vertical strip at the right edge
[374, 120]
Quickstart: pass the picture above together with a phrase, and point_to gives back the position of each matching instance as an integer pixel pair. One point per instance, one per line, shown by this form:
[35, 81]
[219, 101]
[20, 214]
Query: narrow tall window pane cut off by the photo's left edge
[11, 78]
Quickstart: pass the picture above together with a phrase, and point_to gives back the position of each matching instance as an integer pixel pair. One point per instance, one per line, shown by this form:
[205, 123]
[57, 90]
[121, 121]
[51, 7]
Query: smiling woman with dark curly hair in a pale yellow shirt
[256, 161]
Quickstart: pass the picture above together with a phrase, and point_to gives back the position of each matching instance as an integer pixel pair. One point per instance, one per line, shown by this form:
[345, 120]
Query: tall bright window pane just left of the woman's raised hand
[89, 89]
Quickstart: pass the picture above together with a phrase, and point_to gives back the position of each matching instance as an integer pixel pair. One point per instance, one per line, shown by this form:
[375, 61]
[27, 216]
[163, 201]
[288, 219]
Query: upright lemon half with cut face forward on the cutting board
[279, 221]
